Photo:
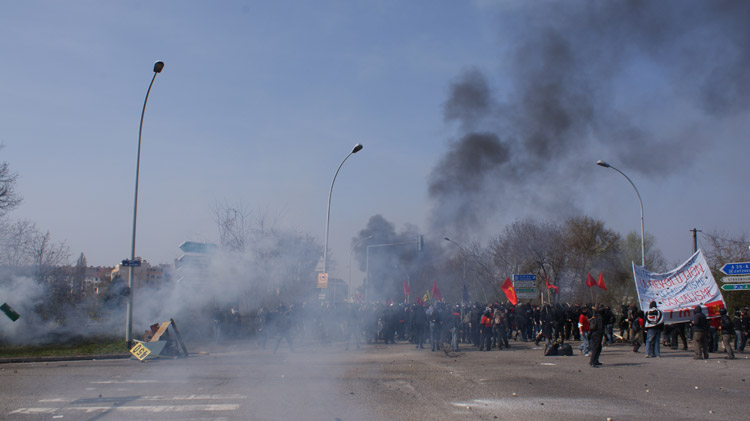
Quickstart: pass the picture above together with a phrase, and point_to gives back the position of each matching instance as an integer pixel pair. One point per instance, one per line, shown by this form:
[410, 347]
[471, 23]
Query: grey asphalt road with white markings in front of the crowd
[237, 381]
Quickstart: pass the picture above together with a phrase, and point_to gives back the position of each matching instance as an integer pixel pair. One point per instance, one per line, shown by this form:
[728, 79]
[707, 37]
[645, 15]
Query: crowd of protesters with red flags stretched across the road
[445, 327]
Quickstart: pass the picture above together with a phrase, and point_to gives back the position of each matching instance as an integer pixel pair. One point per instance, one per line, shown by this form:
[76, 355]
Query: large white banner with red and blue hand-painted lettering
[677, 292]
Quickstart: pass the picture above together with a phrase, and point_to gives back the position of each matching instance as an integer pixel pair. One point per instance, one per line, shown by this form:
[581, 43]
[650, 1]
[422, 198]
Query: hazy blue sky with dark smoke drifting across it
[472, 115]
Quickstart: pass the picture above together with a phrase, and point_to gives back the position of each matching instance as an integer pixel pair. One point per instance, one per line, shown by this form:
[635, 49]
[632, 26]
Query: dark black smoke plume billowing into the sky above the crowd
[569, 70]
